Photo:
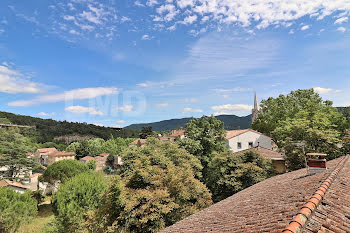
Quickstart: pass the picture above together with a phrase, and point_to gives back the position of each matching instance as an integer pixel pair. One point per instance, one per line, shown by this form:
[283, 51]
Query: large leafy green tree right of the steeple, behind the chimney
[301, 122]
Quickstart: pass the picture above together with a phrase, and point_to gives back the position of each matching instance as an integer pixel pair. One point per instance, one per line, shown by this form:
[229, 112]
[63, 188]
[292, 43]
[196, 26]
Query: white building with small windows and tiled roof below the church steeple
[244, 139]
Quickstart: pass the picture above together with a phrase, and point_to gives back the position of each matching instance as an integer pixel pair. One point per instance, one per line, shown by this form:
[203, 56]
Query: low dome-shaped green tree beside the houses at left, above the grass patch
[63, 170]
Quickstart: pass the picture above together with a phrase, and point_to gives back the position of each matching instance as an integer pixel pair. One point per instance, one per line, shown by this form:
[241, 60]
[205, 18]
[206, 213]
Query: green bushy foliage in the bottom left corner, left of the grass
[15, 209]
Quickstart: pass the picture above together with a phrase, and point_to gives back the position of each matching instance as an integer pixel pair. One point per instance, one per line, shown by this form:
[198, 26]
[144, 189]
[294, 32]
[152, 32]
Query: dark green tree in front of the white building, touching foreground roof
[230, 173]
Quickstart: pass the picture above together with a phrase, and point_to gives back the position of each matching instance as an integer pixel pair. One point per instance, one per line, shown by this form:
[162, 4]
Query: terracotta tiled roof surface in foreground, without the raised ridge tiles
[270, 205]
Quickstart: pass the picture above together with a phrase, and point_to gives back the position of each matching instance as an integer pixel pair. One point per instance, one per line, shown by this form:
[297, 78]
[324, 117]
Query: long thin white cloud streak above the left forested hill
[76, 94]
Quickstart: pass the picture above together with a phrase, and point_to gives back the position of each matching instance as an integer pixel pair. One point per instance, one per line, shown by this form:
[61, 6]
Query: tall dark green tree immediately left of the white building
[206, 135]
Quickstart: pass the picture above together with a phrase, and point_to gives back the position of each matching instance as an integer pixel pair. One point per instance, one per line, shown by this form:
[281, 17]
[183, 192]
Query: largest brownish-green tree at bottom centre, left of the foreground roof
[159, 189]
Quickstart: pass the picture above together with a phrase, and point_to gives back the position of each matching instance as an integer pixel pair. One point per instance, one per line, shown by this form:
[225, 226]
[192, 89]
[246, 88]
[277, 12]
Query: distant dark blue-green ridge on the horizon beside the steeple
[230, 122]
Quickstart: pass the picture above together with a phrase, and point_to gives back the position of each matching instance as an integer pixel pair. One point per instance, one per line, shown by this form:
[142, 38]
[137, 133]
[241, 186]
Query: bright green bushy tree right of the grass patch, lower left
[76, 198]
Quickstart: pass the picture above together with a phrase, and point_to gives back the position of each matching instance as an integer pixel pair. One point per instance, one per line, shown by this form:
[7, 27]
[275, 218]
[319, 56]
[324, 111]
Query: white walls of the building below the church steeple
[250, 136]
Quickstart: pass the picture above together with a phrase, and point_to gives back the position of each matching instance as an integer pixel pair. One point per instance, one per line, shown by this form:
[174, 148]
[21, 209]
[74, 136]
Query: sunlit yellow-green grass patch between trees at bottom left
[39, 223]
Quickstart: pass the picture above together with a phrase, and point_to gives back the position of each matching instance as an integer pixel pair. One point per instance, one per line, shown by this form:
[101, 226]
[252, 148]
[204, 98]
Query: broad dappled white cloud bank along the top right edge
[248, 12]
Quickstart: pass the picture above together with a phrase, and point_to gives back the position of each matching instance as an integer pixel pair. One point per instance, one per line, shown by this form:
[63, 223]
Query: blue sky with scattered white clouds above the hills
[115, 63]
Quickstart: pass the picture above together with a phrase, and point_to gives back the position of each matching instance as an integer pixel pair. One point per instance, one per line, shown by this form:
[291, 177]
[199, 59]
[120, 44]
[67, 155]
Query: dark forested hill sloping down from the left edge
[47, 129]
